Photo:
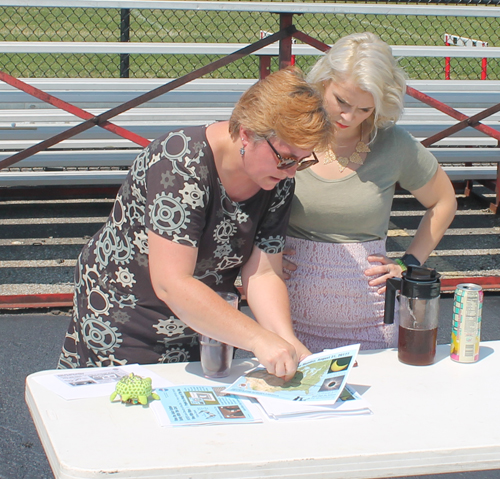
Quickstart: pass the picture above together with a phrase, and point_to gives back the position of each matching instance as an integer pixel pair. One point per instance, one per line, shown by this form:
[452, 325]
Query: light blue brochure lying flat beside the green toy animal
[195, 405]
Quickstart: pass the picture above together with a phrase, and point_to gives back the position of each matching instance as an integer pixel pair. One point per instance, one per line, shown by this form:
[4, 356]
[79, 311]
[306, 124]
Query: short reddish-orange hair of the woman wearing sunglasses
[286, 106]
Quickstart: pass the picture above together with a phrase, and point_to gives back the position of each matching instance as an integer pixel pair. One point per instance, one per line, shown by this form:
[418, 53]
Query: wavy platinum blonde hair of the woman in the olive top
[367, 61]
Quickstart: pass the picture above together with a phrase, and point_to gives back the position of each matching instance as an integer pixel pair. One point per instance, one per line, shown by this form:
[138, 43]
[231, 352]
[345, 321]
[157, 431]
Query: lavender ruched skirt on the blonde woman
[331, 302]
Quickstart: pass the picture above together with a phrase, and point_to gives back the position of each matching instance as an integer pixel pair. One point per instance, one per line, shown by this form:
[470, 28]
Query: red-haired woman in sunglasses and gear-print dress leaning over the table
[199, 205]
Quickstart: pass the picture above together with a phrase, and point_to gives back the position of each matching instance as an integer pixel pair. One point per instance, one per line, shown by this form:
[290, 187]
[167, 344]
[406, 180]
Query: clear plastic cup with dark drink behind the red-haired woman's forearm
[216, 357]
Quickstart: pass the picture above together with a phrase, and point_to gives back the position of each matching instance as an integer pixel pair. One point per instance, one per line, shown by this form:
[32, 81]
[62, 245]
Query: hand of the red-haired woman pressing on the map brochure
[278, 356]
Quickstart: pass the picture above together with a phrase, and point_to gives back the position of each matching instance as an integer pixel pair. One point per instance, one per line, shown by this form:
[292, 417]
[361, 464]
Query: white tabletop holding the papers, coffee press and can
[426, 419]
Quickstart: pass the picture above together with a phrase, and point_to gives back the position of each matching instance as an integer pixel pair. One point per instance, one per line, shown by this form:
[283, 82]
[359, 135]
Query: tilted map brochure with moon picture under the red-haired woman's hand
[320, 379]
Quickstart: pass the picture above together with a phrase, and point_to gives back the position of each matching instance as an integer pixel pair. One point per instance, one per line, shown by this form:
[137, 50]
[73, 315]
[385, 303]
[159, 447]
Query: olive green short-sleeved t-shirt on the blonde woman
[357, 208]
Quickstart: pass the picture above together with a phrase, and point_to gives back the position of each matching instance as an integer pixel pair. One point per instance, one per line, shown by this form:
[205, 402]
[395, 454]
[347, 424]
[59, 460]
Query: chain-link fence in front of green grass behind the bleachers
[192, 26]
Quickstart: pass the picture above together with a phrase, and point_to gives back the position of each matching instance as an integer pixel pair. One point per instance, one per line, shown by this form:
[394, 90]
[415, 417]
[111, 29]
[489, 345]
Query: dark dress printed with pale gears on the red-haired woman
[174, 190]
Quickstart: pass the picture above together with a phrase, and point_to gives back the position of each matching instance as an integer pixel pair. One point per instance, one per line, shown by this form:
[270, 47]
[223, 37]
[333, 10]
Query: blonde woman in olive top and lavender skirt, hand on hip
[340, 212]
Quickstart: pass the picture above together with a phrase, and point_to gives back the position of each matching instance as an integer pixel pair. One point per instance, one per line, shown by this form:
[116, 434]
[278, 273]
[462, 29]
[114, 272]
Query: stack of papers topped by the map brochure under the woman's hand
[318, 389]
